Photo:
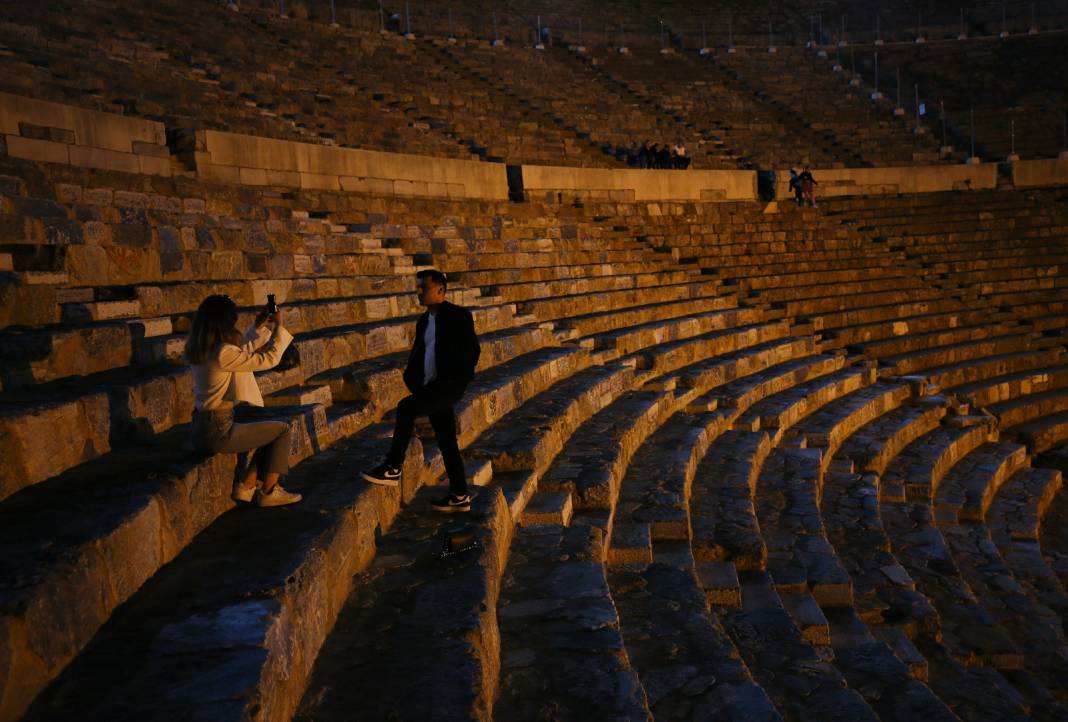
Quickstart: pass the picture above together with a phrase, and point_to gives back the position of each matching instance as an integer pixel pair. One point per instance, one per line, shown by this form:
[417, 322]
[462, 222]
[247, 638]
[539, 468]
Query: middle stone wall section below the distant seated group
[640, 185]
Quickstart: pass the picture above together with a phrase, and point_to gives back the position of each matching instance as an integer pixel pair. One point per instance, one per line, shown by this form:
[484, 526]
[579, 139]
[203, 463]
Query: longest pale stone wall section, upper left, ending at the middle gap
[261, 162]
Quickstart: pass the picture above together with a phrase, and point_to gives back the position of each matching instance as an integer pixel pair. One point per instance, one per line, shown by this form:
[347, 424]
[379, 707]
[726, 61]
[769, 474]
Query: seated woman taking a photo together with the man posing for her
[442, 365]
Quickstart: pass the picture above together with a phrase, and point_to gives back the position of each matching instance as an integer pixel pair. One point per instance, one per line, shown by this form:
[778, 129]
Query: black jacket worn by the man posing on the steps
[457, 350]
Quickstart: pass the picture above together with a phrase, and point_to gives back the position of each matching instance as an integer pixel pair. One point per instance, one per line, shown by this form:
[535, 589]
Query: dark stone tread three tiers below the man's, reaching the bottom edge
[799, 681]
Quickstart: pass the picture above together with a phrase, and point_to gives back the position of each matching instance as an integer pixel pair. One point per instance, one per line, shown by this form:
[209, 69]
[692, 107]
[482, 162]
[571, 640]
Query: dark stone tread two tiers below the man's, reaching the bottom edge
[687, 664]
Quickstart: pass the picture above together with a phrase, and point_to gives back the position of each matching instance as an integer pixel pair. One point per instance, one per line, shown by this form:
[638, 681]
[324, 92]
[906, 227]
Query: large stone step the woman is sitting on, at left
[137, 493]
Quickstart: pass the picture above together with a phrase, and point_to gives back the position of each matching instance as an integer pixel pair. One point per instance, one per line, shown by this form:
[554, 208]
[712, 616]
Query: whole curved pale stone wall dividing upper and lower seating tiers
[55, 133]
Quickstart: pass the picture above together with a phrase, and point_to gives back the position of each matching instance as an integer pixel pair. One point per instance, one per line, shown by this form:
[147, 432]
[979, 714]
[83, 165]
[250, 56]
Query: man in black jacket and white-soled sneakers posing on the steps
[441, 367]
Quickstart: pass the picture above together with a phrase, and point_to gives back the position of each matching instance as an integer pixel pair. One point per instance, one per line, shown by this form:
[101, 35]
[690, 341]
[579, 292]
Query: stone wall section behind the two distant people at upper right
[899, 180]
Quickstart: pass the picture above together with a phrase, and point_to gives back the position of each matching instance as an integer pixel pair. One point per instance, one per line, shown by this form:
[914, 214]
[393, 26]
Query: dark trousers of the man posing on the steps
[437, 403]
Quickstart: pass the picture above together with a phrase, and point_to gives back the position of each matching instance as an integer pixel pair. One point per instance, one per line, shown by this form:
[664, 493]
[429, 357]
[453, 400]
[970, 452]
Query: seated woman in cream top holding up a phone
[223, 364]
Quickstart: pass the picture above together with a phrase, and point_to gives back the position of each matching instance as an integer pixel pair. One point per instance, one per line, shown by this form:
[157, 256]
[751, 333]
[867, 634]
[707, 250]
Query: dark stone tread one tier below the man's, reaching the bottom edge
[576, 667]
